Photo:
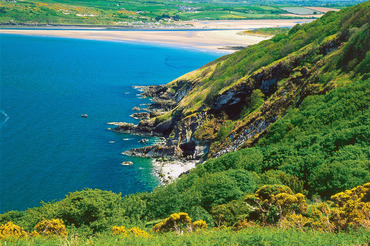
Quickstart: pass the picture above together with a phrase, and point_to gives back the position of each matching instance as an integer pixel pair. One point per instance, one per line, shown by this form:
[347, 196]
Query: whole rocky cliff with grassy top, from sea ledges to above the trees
[231, 102]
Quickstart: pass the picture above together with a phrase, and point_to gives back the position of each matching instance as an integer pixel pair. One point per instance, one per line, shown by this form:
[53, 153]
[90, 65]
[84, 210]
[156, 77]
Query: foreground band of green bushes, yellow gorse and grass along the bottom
[239, 222]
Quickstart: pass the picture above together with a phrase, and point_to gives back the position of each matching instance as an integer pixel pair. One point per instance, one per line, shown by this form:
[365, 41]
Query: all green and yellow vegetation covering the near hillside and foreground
[304, 180]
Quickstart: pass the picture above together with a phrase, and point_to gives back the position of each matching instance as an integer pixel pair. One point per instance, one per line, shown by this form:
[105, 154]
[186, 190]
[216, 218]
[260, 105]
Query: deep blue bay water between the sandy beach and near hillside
[47, 148]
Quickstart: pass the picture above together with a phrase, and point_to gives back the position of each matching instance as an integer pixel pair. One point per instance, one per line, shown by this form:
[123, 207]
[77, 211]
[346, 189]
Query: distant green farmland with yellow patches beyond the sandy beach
[114, 12]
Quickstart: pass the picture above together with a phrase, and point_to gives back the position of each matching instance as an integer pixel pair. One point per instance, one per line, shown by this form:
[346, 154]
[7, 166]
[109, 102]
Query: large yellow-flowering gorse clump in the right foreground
[276, 204]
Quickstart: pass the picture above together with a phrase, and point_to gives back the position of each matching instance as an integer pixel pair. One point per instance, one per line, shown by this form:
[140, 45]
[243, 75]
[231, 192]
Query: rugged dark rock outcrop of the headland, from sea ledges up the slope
[282, 83]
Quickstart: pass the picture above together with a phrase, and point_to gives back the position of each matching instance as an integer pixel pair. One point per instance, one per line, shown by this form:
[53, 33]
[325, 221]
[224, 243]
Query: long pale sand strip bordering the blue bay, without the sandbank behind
[218, 40]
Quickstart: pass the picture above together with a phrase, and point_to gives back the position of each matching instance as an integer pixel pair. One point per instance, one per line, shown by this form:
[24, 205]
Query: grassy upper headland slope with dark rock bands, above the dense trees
[251, 89]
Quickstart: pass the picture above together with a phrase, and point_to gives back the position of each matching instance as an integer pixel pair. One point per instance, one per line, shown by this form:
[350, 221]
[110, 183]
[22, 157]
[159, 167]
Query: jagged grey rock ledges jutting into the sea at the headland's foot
[164, 99]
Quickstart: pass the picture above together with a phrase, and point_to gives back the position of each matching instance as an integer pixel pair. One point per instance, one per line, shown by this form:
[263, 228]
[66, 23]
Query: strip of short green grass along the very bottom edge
[215, 236]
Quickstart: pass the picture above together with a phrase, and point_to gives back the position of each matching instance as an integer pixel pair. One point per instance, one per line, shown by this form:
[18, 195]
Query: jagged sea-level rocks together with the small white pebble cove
[170, 158]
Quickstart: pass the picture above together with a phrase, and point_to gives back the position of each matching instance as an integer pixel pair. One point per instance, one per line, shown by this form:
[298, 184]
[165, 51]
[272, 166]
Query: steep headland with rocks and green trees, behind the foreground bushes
[304, 117]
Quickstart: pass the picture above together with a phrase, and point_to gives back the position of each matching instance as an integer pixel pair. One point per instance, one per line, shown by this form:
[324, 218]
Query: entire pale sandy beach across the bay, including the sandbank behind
[228, 35]
